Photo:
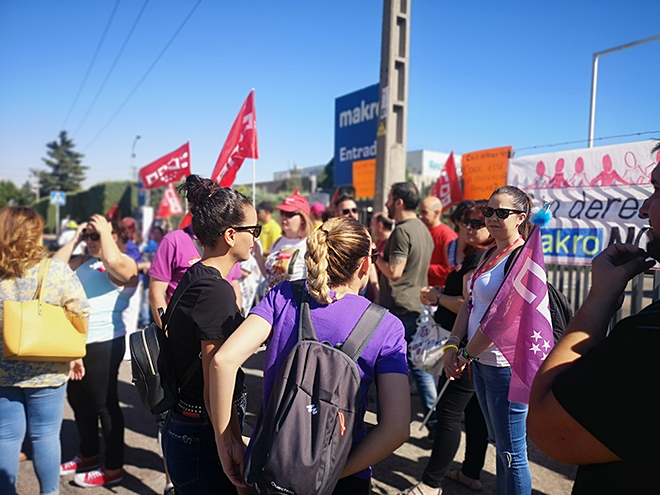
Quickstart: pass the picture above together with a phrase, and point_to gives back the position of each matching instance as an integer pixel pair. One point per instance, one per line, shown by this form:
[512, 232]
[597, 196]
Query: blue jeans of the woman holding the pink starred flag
[506, 428]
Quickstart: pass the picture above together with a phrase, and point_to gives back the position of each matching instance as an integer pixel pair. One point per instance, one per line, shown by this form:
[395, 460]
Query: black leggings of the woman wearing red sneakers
[95, 397]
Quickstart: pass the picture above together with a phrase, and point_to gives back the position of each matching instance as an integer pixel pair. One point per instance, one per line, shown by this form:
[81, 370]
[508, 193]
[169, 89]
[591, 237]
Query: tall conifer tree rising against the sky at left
[66, 170]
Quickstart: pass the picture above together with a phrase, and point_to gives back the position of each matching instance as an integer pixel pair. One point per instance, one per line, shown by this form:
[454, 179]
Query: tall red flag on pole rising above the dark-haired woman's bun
[240, 144]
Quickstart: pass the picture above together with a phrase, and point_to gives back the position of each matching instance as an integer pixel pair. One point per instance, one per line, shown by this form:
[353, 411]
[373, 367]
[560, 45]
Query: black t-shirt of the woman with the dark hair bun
[206, 311]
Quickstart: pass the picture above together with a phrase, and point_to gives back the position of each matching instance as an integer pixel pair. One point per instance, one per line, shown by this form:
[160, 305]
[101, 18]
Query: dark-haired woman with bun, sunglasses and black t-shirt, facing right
[225, 222]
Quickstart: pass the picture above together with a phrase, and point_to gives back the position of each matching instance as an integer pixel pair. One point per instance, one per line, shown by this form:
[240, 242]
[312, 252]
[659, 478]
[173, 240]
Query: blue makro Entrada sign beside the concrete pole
[356, 120]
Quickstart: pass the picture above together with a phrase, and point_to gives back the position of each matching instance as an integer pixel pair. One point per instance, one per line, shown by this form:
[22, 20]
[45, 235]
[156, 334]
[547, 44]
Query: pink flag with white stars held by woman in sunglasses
[518, 319]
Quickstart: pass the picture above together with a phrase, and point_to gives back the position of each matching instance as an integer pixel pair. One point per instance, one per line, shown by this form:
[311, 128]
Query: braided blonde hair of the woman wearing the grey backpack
[334, 253]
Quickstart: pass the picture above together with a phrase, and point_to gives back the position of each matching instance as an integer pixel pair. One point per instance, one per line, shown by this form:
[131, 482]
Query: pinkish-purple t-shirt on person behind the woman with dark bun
[175, 254]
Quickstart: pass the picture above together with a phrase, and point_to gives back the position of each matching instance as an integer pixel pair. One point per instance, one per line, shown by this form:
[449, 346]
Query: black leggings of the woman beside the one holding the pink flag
[458, 398]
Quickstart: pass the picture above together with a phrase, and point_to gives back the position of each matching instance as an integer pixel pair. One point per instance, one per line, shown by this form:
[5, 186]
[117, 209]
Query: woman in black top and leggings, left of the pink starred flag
[459, 397]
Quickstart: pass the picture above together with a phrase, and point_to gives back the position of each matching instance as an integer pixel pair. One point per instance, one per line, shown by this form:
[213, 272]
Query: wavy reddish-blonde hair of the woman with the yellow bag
[21, 247]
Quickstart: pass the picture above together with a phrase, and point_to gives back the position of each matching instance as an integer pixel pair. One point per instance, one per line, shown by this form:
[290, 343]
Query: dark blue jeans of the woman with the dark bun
[191, 455]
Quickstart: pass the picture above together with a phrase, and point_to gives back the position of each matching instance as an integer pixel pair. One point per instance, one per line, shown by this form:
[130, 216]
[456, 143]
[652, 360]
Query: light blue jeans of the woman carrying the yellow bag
[38, 411]
